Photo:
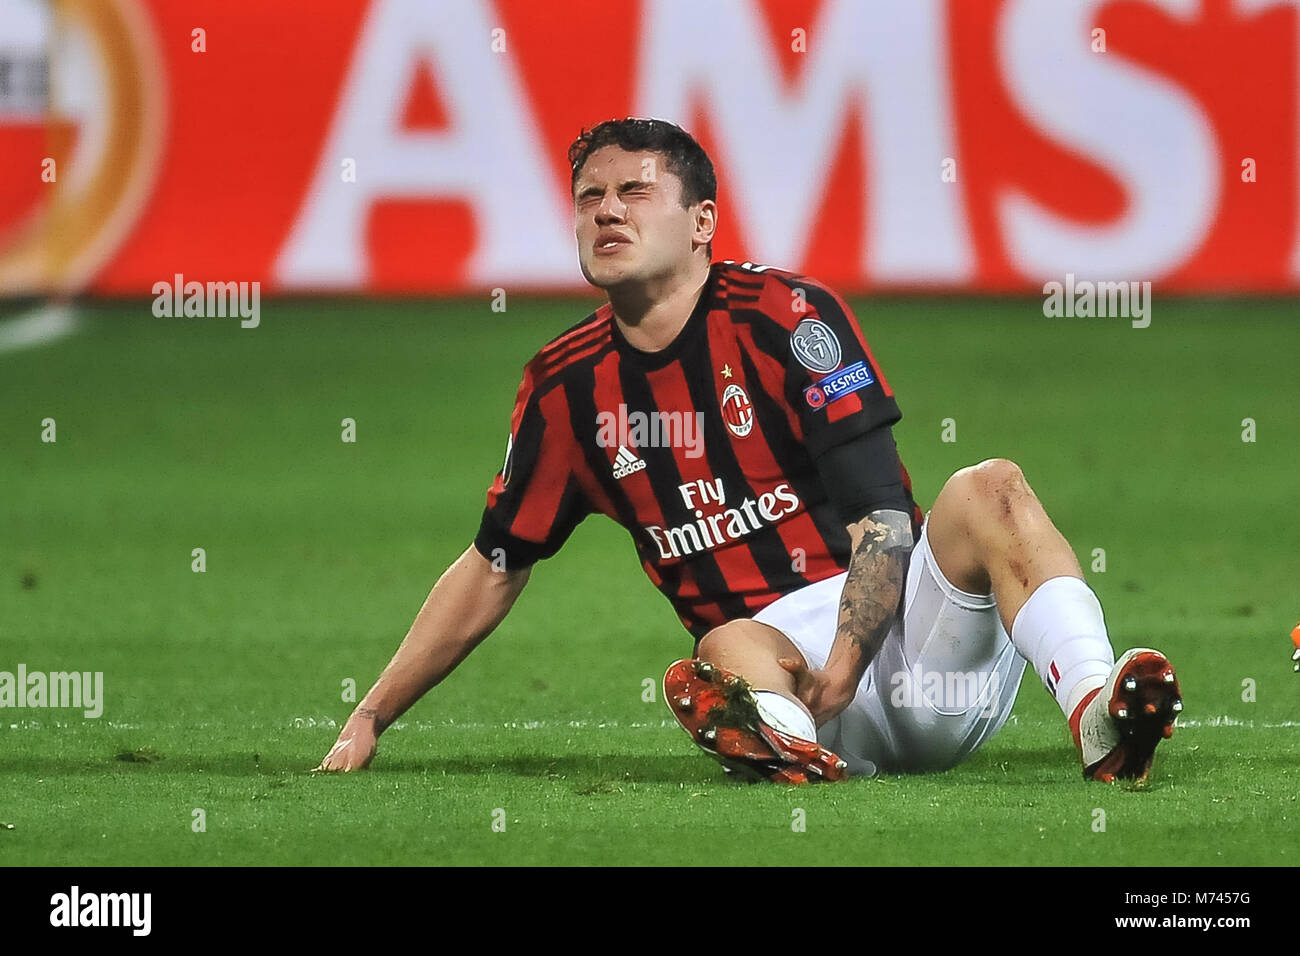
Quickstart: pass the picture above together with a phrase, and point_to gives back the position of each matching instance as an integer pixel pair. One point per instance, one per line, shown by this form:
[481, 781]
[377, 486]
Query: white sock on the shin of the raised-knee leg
[1063, 633]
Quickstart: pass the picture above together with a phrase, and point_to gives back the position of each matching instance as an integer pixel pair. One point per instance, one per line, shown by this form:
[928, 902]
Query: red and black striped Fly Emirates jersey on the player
[705, 452]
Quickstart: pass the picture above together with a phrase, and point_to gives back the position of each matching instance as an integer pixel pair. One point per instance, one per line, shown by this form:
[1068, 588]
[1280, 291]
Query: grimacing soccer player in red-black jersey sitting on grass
[735, 422]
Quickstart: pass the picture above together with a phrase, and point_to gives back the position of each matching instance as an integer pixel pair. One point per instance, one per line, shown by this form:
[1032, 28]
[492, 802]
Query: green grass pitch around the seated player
[175, 435]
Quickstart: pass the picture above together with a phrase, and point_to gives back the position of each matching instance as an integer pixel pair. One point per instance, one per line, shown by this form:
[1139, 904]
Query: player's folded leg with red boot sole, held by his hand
[749, 728]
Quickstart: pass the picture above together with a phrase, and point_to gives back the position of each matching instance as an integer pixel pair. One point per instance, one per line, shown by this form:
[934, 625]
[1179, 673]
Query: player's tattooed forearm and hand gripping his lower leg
[873, 590]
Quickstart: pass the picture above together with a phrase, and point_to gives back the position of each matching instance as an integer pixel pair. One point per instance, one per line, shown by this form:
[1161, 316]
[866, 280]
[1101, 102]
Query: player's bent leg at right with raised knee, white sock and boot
[990, 534]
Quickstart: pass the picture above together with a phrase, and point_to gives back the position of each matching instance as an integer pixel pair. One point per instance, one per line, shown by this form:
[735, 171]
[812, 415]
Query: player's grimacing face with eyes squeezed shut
[631, 224]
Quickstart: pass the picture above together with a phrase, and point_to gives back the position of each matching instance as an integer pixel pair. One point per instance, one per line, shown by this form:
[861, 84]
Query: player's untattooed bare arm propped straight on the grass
[467, 604]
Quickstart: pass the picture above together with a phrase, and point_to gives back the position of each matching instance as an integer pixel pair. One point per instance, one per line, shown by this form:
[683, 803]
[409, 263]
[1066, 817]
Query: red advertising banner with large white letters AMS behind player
[419, 146]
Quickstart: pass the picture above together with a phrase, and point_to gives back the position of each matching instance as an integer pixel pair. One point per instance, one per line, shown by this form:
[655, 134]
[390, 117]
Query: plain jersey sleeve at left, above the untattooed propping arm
[535, 501]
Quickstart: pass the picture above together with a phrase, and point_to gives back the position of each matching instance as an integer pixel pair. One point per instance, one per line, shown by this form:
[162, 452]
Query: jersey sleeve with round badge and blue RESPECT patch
[831, 375]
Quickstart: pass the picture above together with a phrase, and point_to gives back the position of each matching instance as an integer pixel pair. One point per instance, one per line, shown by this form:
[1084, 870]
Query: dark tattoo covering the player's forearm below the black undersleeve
[877, 572]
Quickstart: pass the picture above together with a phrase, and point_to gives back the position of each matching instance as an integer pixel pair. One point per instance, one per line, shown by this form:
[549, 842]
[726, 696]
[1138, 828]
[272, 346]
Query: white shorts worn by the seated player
[941, 686]
